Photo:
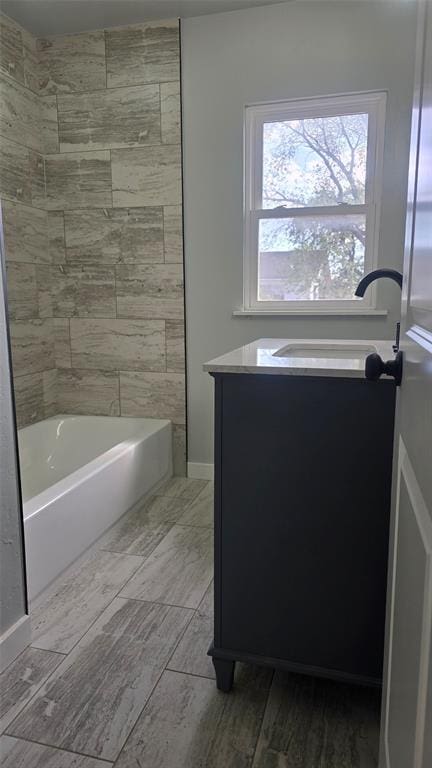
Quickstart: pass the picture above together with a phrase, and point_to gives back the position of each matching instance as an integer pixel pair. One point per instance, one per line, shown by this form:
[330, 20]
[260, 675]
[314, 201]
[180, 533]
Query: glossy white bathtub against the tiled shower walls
[79, 474]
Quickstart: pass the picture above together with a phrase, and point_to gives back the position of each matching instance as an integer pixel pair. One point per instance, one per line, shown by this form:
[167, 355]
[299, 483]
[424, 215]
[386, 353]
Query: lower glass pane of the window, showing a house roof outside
[310, 259]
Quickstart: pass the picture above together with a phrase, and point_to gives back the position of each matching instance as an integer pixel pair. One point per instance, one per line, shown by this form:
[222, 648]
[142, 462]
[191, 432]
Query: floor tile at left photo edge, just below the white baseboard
[20, 681]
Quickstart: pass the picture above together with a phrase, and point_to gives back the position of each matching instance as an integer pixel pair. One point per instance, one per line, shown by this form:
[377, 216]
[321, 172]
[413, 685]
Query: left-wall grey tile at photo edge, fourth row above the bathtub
[25, 233]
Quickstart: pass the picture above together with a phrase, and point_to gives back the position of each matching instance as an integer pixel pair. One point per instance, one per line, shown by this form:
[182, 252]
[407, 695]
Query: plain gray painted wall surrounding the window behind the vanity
[263, 54]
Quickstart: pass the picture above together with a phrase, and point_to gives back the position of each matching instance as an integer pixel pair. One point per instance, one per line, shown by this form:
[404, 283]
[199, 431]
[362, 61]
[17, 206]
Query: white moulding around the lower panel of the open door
[424, 524]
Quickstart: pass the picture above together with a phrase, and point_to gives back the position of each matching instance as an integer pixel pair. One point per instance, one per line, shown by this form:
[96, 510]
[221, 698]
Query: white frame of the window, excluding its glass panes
[374, 104]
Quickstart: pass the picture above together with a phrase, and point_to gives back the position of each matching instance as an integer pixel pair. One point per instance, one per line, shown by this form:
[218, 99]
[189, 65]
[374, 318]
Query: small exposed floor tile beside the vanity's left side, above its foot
[190, 656]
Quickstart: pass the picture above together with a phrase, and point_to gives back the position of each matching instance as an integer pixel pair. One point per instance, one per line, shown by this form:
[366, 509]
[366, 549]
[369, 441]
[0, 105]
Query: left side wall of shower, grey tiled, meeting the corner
[27, 130]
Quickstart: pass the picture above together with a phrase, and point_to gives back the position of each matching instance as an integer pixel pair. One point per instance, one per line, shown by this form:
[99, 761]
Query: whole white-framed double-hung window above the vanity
[312, 190]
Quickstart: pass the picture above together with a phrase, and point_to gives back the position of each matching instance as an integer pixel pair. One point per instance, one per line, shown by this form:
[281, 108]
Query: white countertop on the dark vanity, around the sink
[258, 357]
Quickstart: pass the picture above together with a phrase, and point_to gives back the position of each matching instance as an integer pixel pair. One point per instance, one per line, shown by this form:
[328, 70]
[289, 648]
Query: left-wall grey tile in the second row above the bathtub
[32, 349]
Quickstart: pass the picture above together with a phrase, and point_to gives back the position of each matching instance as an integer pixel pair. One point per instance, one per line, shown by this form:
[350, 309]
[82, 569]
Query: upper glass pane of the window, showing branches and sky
[315, 161]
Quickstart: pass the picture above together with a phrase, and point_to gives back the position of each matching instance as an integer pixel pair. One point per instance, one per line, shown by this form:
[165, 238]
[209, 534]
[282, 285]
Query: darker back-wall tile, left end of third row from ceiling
[78, 180]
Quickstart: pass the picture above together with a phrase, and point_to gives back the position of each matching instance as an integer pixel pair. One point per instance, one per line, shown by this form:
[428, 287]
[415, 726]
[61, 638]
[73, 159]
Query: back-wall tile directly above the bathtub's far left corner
[95, 393]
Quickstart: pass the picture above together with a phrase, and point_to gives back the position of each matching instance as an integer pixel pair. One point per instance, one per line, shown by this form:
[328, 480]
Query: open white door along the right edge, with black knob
[406, 735]
